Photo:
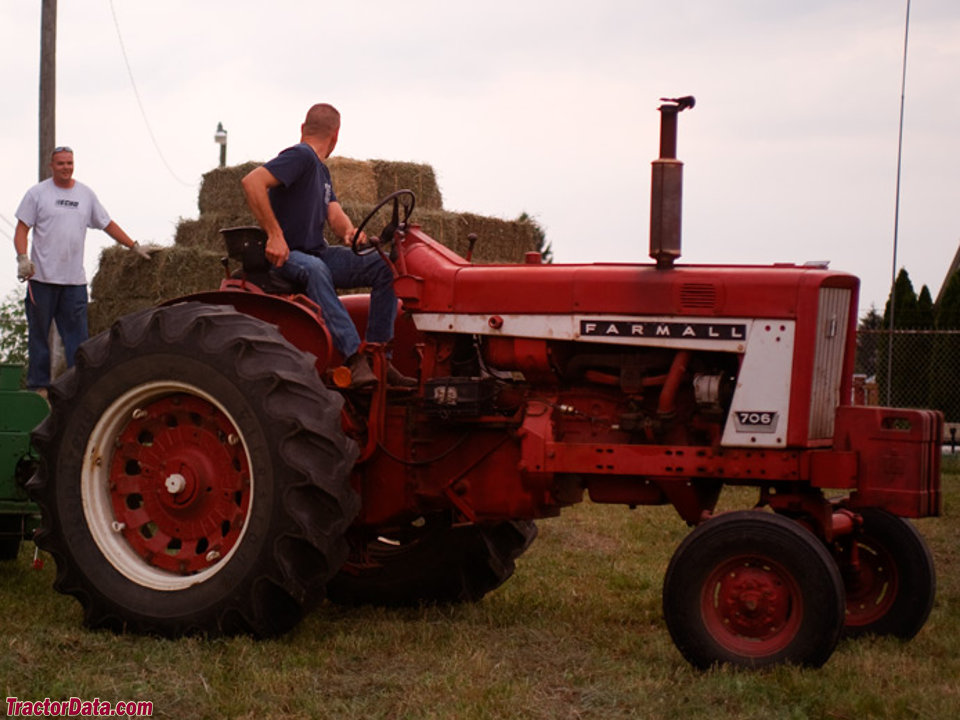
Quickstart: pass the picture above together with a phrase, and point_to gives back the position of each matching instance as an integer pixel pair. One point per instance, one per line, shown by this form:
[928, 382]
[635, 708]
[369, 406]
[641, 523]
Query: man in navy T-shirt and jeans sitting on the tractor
[292, 197]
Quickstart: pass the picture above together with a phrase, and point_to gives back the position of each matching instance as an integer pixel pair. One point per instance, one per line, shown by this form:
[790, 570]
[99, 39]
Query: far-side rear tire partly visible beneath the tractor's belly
[433, 564]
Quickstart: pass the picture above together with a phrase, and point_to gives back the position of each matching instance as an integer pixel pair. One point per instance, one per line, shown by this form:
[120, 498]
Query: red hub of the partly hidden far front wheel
[871, 588]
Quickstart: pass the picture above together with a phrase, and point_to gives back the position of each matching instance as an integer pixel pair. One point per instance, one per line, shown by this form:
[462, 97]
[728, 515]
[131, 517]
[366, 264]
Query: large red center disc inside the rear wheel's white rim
[180, 483]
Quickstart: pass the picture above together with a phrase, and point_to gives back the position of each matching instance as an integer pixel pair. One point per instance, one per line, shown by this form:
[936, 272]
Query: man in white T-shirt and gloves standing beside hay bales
[59, 209]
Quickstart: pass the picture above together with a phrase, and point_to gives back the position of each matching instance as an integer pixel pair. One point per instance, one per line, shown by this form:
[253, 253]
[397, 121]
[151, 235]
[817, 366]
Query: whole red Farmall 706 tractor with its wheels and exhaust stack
[207, 469]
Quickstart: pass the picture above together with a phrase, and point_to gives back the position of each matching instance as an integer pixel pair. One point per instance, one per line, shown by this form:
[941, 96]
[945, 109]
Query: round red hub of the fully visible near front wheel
[752, 606]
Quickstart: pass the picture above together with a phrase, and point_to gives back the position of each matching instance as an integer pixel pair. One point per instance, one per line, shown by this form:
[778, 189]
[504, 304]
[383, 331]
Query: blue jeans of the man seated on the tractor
[339, 267]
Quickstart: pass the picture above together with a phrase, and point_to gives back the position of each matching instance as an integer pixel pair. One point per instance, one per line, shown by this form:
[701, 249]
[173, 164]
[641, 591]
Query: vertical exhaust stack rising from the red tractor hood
[666, 187]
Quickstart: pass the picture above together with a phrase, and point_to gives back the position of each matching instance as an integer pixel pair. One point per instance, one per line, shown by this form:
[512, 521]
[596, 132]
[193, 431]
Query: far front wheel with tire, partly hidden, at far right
[893, 588]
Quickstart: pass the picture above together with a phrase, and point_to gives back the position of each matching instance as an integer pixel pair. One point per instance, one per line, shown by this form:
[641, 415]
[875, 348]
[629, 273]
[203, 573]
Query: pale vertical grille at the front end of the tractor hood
[828, 360]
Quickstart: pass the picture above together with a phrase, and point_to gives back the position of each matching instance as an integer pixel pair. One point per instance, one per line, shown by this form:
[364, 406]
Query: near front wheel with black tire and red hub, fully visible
[753, 589]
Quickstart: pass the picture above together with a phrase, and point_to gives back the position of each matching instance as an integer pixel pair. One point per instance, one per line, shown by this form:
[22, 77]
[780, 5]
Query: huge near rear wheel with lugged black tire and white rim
[193, 476]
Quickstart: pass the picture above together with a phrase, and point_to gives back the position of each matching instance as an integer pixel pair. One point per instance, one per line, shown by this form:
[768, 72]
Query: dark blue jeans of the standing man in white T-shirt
[45, 302]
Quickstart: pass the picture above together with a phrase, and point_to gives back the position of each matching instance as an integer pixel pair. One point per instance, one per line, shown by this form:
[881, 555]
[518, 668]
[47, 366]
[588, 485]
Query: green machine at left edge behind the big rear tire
[20, 412]
